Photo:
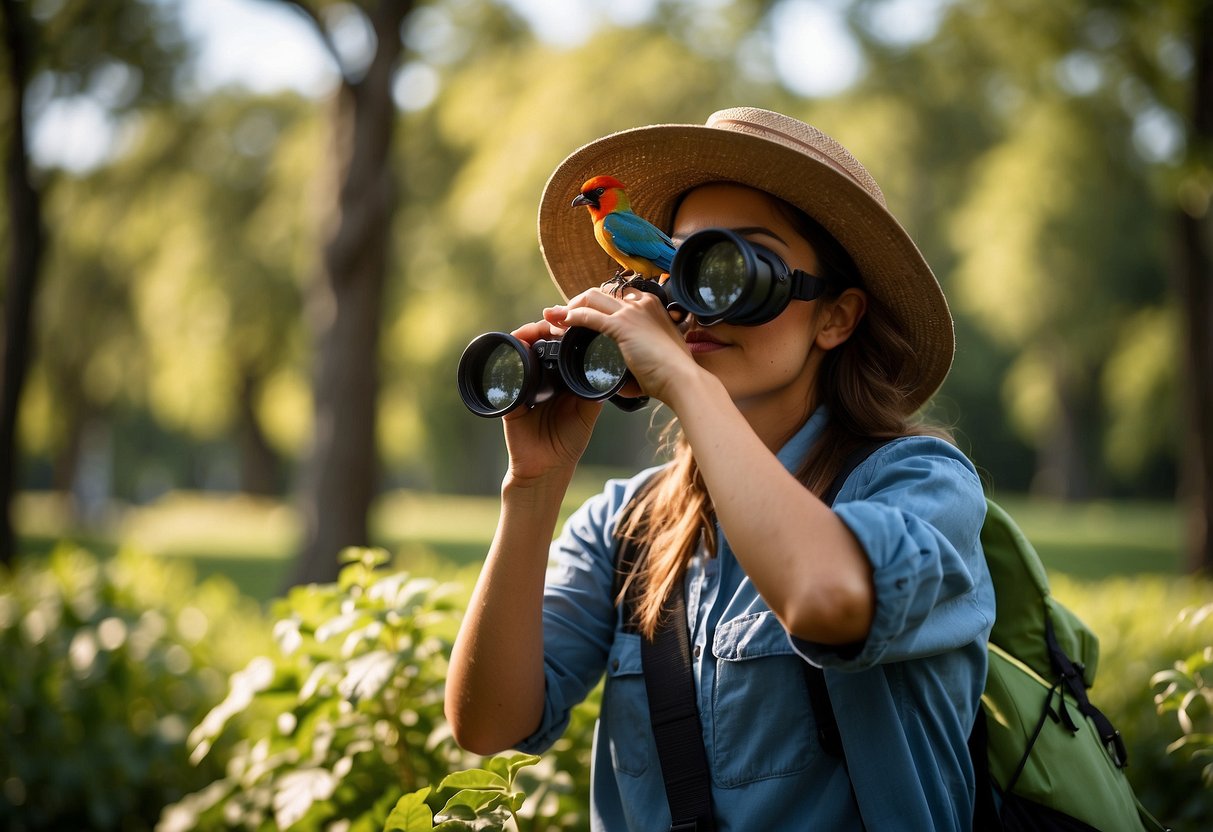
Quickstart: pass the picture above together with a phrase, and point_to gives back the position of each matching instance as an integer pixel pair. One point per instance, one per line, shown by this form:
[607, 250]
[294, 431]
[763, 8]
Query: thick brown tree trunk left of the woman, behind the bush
[344, 311]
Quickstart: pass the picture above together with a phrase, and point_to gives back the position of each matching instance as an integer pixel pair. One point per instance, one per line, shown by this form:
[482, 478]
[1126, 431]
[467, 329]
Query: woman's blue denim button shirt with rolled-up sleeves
[906, 699]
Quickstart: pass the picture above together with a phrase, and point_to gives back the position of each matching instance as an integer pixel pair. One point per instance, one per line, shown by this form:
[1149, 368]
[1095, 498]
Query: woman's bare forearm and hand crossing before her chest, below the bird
[800, 556]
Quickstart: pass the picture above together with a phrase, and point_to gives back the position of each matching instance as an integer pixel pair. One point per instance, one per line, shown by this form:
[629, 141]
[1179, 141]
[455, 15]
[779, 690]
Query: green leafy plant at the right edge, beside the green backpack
[1188, 693]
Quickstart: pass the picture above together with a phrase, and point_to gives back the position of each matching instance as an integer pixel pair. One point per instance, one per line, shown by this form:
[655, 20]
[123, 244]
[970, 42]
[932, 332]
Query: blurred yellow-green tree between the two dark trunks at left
[213, 208]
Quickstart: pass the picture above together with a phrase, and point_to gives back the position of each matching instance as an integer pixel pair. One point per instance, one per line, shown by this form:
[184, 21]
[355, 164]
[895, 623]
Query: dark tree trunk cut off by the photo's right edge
[1195, 273]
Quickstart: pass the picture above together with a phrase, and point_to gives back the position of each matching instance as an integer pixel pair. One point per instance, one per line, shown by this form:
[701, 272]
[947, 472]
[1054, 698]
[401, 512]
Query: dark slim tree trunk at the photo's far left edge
[26, 246]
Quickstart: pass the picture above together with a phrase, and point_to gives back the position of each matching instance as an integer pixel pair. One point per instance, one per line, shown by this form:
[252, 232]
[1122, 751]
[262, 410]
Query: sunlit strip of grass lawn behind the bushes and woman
[253, 540]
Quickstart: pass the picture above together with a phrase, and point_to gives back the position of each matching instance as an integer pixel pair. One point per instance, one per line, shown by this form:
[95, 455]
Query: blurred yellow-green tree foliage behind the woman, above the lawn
[1013, 140]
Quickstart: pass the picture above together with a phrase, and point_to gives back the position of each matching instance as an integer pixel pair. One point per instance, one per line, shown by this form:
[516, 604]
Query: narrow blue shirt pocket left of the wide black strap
[625, 709]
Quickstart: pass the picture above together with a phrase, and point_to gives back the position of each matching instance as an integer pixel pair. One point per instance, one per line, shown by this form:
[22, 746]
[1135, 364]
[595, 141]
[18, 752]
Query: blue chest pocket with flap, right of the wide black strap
[762, 720]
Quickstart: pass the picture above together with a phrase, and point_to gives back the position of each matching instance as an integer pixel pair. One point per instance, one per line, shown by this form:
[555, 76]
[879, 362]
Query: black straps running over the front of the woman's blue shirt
[670, 685]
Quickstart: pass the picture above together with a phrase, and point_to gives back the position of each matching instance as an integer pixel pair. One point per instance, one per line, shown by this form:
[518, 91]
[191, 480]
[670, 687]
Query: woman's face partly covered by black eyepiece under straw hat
[768, 369]
